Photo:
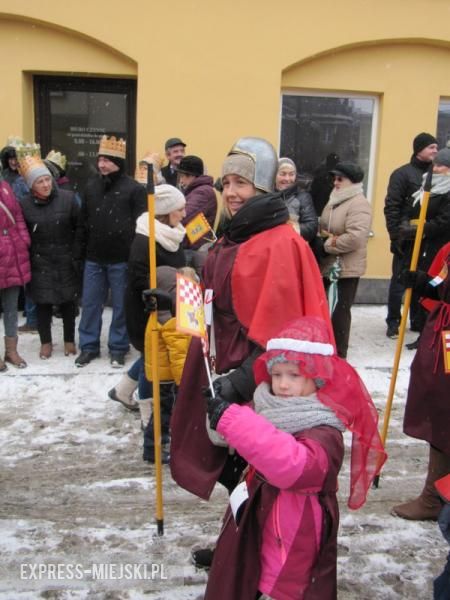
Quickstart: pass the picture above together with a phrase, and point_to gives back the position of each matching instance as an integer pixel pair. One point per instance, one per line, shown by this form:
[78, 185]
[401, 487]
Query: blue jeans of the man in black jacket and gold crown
[97, 280]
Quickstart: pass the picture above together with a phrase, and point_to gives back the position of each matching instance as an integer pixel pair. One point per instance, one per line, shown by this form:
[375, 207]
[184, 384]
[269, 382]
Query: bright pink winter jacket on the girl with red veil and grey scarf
[296, 468]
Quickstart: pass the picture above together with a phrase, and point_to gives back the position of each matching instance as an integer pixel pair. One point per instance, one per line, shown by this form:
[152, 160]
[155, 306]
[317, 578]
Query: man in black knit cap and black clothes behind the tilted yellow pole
[403, 182]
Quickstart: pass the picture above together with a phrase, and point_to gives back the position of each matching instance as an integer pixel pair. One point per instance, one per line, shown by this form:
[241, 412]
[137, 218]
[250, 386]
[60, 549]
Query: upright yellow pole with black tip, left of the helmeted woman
[151, 342]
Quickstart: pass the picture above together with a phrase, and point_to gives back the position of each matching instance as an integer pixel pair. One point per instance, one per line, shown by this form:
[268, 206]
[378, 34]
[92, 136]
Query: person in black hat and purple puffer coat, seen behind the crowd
[198, 189]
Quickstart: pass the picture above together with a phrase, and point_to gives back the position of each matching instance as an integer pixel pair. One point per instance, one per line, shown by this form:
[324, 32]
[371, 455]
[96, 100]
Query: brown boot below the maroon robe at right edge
[428, 505]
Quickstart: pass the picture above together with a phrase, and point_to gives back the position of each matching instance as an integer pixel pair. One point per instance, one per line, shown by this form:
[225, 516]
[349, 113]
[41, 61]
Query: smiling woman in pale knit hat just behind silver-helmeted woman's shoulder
[299, 202]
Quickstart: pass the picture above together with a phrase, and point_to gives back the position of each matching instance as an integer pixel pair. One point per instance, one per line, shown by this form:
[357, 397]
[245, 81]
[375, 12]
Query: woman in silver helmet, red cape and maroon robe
[260, 274]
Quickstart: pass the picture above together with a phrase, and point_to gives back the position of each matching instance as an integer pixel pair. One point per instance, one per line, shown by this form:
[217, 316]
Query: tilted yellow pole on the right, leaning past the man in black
[406, 305]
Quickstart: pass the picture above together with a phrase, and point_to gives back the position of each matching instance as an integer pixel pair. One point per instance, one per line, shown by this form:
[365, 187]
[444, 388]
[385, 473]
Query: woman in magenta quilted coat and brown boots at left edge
[14, 269]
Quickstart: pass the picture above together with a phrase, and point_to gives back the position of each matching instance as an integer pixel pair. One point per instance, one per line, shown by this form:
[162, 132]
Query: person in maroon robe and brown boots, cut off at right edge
[427, 411]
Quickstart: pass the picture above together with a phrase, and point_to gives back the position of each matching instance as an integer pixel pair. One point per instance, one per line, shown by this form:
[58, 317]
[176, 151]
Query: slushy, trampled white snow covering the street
[78, 503]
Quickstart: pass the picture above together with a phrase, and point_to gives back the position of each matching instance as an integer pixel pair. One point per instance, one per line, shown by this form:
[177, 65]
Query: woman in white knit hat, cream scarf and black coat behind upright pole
[169, 233]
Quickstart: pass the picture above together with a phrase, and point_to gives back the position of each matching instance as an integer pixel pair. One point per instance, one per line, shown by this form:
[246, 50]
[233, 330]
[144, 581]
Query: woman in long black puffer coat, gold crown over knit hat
[52, 217]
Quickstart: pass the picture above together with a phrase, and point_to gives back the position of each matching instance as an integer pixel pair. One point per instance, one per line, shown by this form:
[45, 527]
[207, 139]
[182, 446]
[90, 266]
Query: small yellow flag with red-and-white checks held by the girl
[190, 311]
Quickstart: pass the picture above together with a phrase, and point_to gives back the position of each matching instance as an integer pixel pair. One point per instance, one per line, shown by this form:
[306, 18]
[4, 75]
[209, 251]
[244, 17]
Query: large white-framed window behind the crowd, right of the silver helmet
[315, 126]
